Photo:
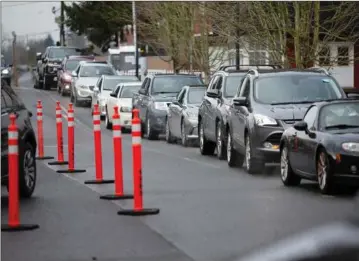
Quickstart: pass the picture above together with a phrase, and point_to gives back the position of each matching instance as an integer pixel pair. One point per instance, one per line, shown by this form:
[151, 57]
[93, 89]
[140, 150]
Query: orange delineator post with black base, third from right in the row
[98, 149]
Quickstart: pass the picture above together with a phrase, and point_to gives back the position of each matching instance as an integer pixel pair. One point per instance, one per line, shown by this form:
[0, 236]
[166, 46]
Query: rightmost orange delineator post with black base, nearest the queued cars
[138, 209]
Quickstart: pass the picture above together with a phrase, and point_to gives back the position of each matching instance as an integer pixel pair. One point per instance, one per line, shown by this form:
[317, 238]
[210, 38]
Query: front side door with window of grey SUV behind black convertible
[240, 115]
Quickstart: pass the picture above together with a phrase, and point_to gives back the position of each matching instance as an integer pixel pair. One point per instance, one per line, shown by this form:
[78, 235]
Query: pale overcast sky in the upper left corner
[34, 19]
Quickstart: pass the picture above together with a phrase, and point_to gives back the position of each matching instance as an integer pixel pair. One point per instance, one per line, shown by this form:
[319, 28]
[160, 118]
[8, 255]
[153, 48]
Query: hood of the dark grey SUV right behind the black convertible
[284, 112]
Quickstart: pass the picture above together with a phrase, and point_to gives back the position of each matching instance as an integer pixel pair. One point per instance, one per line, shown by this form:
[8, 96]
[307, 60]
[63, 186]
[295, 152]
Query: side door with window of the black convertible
[305, 143]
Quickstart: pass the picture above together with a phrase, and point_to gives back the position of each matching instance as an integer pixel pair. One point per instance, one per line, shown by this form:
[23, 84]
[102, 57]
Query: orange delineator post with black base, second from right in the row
[117, 147]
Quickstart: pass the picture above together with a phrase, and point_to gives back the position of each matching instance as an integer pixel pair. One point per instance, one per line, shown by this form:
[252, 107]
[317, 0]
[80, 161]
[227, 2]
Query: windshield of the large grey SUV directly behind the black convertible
[295, 88]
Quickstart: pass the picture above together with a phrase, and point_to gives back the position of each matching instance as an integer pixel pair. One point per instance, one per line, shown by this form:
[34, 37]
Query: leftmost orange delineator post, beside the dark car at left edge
[13, 165]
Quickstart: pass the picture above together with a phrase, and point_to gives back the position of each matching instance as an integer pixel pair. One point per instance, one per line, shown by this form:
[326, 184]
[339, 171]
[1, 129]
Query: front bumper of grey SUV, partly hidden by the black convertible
[265, 143]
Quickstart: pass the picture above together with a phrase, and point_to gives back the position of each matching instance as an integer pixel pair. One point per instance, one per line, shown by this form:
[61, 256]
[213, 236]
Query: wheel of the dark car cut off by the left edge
[27, 171]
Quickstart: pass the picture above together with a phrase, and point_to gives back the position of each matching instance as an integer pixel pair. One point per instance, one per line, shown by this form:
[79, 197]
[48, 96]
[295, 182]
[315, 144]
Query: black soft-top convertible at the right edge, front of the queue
[323, 147]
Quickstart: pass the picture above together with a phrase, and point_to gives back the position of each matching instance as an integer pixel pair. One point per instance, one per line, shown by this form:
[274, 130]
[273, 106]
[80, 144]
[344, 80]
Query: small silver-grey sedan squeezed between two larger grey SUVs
[182, 115]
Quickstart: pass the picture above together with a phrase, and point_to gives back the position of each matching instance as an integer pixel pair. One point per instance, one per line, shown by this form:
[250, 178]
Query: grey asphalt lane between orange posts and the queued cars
[208, 210]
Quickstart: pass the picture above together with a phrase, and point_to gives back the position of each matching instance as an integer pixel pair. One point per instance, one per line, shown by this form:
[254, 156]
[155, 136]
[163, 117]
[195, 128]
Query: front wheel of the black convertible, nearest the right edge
[324, 172]
